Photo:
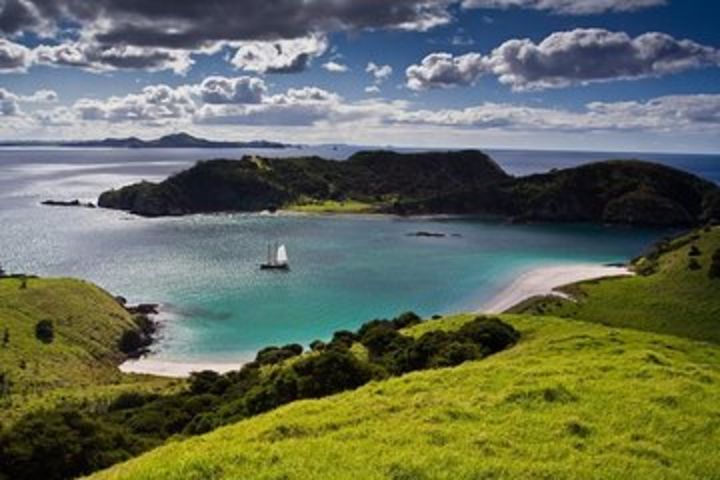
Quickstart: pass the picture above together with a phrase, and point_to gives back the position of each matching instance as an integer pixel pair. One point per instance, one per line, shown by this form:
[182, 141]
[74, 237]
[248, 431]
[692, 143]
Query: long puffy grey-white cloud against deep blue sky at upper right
[579, 56]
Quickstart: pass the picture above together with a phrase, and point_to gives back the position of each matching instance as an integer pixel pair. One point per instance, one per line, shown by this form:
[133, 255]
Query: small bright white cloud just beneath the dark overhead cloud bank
[282, 56]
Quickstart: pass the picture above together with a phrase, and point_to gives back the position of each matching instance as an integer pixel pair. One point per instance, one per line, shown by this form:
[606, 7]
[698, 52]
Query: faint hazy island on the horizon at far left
[176, 140]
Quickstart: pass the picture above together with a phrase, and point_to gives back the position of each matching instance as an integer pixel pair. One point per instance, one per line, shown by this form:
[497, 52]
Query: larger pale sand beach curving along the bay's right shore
[544, 281]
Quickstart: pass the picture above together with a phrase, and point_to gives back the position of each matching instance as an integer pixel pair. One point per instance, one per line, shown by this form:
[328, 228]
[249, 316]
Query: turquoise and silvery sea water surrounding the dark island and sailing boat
[345, 270]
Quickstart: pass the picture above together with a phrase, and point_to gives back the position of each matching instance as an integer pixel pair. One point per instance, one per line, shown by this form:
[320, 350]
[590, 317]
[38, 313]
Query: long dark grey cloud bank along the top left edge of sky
[196, 24]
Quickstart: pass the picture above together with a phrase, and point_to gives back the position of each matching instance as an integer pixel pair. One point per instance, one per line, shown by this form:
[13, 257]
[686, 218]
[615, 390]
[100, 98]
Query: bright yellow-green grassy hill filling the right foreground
[571, 400]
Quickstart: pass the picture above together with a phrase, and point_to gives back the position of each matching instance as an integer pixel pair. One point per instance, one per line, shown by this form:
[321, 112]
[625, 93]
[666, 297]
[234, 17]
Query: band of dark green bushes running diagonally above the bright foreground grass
[62, 443]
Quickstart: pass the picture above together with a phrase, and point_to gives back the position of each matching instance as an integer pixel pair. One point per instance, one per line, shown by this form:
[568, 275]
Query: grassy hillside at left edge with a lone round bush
[79, 366]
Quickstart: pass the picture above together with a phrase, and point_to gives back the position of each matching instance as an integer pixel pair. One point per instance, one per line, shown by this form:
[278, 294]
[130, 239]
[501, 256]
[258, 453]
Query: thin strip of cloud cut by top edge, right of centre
[570, 7]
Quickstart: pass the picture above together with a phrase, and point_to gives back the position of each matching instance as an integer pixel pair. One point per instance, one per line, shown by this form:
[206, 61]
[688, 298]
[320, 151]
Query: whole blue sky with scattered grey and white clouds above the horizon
[615, 75]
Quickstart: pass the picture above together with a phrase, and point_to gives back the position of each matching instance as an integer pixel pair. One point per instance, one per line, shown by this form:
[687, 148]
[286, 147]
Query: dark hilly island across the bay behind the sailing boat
[464, 182]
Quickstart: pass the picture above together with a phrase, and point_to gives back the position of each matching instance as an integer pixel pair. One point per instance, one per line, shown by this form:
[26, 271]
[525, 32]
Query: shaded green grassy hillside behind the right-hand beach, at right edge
[674, 300]
